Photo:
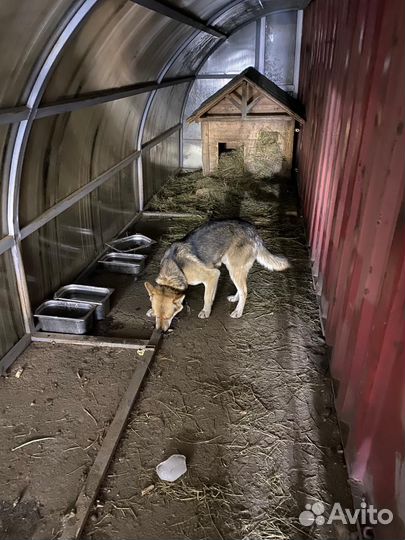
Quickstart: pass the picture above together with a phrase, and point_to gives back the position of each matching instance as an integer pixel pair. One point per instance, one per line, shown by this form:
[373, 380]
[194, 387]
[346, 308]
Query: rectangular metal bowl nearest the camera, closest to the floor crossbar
[66, 317]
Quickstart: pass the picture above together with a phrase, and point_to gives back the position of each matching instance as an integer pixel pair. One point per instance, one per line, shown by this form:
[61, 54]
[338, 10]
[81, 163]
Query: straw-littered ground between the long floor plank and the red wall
[247, 401]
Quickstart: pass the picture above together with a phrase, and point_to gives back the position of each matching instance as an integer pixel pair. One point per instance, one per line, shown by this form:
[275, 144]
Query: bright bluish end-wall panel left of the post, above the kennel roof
[235, 54]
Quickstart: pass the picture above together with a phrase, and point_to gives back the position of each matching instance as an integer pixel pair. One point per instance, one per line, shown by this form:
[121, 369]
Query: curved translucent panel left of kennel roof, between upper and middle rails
[165, 110]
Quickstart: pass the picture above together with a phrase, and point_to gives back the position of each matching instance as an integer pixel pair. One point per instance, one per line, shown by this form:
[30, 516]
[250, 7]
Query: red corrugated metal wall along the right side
[351, 174]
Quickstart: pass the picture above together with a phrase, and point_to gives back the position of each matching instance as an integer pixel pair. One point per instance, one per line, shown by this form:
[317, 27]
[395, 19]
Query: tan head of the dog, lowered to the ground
[166, 303]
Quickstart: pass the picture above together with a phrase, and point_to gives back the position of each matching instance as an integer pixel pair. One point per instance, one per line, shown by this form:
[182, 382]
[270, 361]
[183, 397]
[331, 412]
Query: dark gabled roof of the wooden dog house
[253, 77]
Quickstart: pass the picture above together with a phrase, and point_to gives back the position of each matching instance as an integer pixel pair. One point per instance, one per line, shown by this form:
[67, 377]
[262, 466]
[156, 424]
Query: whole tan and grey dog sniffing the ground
[196, 259]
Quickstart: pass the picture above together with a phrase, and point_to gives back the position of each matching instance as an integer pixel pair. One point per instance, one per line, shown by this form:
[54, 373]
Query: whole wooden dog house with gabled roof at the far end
[250, 113]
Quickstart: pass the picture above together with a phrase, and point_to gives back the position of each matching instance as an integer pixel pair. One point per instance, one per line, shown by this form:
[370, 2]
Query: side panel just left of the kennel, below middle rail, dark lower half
[159, 163]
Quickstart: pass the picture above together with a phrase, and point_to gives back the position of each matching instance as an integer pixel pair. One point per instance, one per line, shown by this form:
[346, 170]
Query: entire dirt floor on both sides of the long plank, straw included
[247, 401]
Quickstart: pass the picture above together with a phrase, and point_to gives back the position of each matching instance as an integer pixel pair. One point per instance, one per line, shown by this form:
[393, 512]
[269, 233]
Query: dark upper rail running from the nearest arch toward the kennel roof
[91, 99]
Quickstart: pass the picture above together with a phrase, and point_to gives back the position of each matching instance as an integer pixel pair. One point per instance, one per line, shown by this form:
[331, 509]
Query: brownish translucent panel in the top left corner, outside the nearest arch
[25, 30]
